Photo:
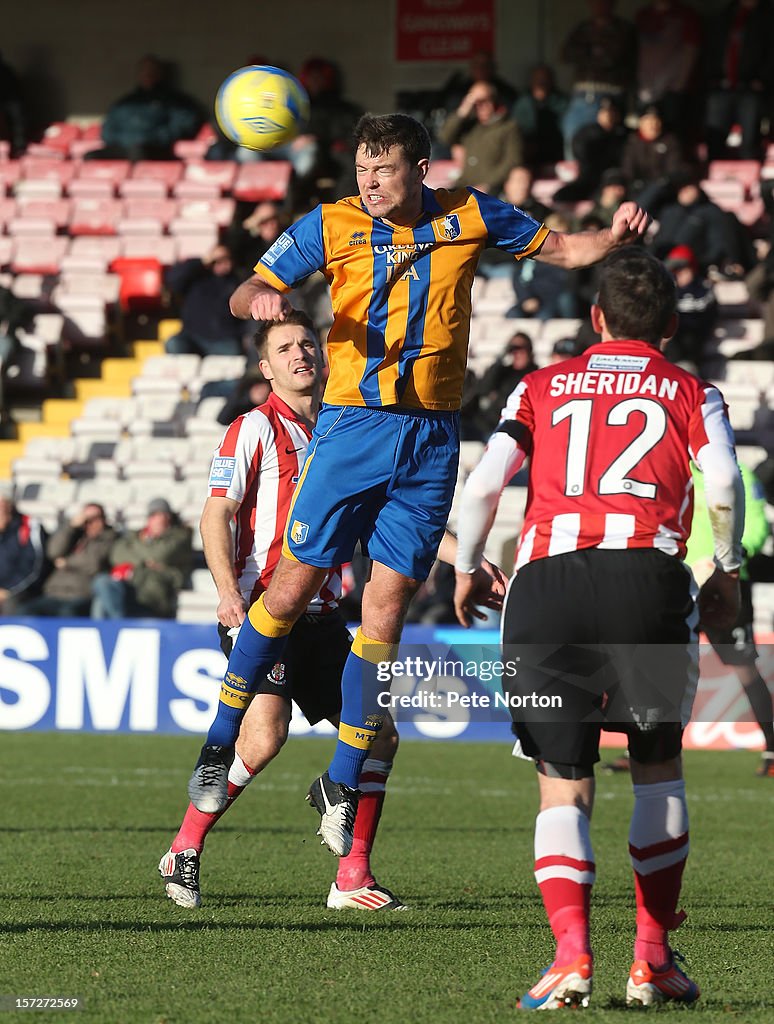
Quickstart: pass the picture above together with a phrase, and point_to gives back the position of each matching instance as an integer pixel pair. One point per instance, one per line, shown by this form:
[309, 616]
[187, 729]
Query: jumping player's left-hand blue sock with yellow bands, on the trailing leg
[260, 646]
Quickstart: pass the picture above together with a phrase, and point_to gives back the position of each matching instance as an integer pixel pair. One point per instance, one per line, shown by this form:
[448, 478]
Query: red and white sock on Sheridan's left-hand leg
[565, 871]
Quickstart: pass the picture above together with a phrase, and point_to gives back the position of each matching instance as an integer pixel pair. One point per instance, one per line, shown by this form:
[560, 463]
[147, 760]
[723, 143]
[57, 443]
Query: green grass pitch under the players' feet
[82, 911]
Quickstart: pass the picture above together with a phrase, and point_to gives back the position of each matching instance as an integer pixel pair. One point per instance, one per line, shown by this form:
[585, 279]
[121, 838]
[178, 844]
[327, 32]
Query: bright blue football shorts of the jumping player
[382, 478]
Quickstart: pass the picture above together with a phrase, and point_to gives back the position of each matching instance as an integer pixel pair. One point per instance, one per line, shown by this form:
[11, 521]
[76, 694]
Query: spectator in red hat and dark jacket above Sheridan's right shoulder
[698, 309]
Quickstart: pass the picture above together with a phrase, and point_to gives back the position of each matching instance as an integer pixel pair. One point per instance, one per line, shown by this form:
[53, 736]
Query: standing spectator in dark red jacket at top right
[669, 39]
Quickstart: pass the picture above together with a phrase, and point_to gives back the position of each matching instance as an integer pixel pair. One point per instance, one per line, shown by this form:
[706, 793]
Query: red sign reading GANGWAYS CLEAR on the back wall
[444, 30]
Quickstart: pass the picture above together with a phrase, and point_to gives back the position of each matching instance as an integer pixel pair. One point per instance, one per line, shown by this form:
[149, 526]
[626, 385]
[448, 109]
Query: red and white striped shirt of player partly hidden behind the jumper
[259, 464]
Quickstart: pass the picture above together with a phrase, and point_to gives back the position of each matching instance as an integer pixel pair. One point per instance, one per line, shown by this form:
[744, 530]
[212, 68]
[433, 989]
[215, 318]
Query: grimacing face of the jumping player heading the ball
[390, 186]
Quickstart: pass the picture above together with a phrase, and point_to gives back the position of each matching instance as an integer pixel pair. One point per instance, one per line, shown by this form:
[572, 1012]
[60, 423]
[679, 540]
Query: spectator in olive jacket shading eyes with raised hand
[485, 141]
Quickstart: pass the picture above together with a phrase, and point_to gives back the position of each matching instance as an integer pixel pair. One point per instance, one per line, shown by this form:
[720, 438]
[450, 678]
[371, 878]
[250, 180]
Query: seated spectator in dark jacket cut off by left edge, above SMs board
[23, 562]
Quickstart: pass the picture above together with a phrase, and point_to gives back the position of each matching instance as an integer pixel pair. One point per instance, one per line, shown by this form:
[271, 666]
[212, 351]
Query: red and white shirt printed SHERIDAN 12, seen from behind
[612, 434]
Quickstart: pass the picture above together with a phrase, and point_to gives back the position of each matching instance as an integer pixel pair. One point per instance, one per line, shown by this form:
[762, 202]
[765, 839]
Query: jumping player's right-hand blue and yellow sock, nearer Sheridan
[362, 717]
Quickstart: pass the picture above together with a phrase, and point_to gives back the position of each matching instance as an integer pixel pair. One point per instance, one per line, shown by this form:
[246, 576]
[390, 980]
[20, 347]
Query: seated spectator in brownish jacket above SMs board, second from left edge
[79, 550]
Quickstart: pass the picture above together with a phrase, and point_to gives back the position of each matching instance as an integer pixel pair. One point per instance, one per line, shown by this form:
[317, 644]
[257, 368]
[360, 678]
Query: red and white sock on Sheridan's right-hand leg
[659, 847]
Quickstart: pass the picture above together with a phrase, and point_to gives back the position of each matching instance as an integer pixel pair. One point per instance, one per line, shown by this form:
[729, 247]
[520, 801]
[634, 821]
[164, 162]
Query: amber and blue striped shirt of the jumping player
[401, 295]
